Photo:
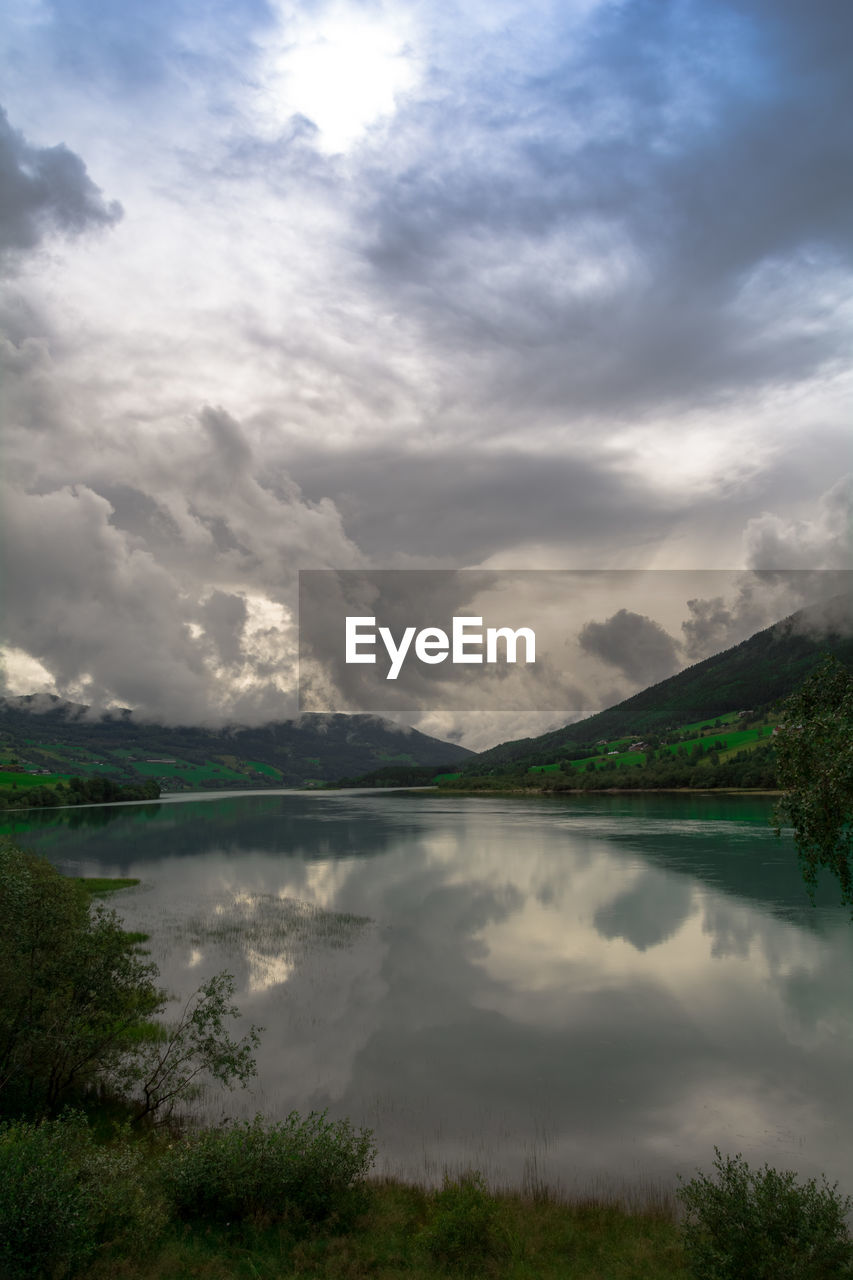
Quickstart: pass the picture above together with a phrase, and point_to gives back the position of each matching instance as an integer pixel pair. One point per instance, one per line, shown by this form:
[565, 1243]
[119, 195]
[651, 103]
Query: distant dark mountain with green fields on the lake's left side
[58, 737]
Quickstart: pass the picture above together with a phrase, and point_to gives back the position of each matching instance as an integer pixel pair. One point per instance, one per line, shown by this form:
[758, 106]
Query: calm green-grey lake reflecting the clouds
[587, 993]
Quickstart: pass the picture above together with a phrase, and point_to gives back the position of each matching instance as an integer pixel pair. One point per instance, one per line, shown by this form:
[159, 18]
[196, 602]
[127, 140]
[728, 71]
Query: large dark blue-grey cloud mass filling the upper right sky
[637, 230]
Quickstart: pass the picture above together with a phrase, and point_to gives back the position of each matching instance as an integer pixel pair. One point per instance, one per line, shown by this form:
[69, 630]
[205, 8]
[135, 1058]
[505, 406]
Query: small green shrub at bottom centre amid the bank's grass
[466, 1231]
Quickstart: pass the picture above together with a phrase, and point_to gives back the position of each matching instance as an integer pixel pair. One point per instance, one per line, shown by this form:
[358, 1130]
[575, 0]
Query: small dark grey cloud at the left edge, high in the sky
[43, 190]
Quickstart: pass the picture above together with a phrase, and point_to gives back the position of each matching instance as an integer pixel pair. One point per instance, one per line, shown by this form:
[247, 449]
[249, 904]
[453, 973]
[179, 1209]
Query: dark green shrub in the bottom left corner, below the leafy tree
[65, 1199]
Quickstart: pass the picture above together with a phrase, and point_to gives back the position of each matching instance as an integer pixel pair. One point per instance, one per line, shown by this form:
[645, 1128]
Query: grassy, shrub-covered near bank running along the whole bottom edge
[285, 1200]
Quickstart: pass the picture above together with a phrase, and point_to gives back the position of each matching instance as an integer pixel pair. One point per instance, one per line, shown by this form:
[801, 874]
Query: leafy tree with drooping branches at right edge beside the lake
[815, 766]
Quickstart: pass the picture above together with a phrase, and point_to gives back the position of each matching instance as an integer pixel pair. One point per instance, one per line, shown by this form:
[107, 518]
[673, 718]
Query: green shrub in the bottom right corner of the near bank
[765, 1226]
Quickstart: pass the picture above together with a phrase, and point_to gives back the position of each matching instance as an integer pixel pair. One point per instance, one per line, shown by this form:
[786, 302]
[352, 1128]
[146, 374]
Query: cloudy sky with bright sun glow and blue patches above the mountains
[413, 286]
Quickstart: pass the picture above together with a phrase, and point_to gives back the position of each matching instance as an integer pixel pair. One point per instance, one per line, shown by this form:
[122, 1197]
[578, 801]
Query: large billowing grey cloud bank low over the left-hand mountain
[179, 605]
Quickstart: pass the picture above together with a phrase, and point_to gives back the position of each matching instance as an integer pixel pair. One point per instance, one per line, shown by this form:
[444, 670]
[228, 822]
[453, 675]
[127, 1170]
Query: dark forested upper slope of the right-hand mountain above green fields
[754, 675]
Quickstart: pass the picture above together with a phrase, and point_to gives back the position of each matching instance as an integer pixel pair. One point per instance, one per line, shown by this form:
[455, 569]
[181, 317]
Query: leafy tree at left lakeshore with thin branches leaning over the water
[77, 999]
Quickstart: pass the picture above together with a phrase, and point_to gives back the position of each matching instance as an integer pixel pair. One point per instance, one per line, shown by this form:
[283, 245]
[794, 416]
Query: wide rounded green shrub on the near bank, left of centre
[309, 1169]
